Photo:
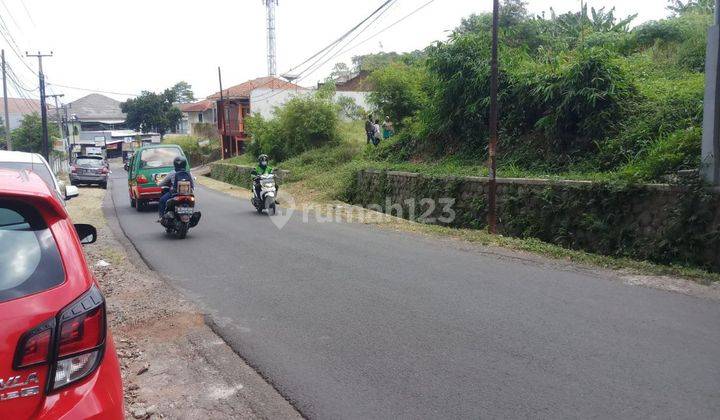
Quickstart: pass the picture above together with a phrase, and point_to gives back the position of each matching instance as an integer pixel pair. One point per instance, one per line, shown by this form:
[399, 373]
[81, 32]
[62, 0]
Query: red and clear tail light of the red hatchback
[72, 343]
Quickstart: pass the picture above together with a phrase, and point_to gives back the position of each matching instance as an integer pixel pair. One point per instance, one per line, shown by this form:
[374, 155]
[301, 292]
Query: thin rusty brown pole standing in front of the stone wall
[492, 147]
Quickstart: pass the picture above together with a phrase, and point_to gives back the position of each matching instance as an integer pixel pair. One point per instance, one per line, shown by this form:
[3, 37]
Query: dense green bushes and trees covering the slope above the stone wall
[582, 95]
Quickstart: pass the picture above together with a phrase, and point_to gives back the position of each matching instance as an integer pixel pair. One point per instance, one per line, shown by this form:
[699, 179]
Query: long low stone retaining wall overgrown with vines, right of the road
[663, 223]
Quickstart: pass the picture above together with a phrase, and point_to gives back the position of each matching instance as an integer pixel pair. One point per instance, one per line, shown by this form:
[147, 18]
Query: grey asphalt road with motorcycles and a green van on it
[351, 321]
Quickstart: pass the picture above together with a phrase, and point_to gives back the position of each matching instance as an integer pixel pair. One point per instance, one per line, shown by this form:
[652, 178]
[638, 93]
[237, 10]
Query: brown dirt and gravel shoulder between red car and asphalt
[173, 365]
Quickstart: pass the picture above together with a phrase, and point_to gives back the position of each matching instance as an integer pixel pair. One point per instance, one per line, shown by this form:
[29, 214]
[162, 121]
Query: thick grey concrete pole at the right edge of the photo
[710, 164]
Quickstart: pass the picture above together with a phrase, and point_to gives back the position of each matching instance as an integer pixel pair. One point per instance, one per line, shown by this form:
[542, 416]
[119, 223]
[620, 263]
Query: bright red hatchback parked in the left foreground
[57, 357]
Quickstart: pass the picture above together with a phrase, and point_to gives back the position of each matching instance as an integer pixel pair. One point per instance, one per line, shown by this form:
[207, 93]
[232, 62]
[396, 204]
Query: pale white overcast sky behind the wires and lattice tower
[131, 45]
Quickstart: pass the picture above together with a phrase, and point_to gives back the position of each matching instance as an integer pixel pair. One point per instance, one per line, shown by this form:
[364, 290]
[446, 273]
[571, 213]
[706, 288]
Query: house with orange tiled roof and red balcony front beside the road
[259, 96]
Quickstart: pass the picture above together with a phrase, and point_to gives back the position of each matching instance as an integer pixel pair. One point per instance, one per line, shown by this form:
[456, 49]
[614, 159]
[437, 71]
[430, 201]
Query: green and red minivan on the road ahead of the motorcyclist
[147, 168]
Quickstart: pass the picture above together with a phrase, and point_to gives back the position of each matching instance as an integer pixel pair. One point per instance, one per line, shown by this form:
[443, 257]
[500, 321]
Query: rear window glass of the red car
[29, 258]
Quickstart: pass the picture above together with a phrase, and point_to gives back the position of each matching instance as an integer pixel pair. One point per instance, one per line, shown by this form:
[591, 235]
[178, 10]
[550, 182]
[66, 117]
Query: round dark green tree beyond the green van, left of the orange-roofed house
[152, 112]
